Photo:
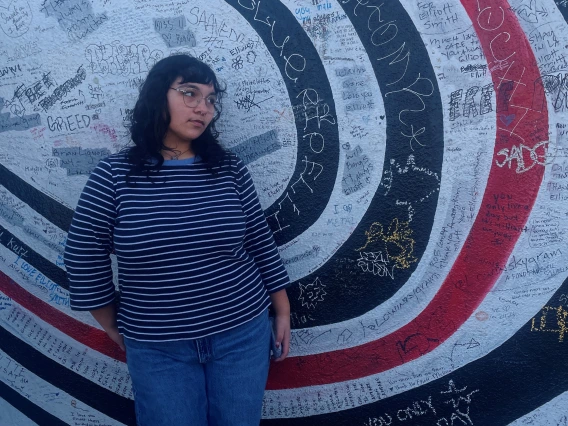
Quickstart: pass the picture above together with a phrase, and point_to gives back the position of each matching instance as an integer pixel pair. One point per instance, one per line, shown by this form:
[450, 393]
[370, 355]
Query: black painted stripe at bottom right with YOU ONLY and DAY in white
[525, 372]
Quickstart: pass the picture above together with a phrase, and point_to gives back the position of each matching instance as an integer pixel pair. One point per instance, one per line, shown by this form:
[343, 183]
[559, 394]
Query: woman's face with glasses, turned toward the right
[188, 122]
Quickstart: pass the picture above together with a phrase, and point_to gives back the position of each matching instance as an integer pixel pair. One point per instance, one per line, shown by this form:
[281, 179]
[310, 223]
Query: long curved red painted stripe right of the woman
[474, 273]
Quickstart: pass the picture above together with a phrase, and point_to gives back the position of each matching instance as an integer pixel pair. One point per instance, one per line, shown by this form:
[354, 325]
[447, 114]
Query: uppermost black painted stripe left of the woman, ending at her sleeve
[46, 206]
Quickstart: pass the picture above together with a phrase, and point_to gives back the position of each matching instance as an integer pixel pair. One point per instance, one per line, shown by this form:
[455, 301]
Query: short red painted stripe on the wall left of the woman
[89, 336]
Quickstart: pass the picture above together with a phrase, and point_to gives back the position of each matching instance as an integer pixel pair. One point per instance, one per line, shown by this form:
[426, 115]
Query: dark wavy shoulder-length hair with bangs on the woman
[150, 118]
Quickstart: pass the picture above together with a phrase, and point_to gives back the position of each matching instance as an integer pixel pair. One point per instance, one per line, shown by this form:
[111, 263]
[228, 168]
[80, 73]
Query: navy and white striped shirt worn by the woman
[195, 254]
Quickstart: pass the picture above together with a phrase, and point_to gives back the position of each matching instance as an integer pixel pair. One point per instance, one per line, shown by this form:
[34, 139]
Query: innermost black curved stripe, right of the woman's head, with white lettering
[313, 78]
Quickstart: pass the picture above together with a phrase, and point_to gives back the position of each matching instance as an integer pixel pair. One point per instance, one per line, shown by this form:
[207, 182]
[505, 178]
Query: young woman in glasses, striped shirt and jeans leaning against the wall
[197, 263]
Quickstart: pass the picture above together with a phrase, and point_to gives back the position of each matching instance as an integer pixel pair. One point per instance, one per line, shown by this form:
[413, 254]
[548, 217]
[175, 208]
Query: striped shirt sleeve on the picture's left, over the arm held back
[90, 242]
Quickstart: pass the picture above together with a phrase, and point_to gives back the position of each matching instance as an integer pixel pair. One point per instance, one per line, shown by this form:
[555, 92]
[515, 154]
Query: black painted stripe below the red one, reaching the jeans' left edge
[97, 397]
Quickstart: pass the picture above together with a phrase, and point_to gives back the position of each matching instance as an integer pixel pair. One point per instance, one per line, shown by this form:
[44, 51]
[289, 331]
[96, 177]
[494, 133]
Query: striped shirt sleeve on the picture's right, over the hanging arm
[259, 241]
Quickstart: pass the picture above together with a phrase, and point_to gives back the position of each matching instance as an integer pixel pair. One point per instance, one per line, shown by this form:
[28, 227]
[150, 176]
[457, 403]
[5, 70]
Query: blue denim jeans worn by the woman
[218, 380]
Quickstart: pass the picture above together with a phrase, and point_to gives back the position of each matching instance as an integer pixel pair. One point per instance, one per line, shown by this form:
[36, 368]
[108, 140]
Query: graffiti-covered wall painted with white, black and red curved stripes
[412, 160]
